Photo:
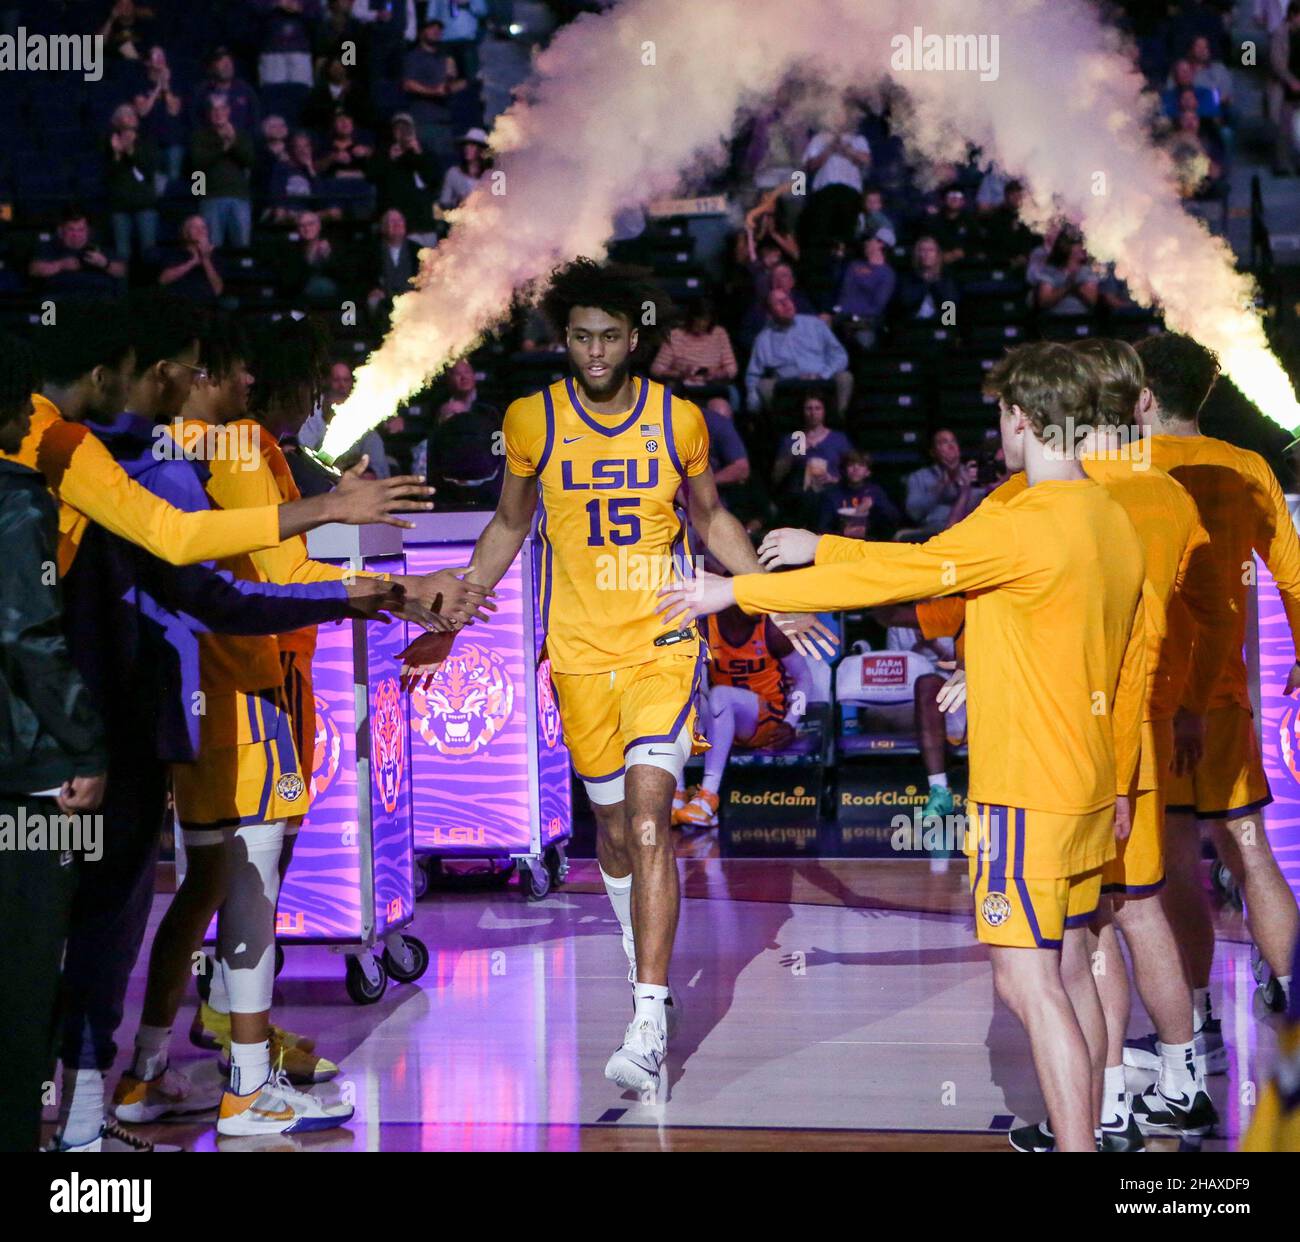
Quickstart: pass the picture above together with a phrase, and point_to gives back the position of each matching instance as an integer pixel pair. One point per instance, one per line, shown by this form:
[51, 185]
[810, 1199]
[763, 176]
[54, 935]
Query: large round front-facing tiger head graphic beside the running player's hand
[467, 703]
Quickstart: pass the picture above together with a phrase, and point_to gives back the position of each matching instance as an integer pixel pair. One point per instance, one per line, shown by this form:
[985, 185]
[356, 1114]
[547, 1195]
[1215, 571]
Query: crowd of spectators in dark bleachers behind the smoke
[333, 136]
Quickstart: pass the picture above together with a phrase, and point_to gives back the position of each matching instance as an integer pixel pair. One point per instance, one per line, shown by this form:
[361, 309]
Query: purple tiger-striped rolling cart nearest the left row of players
[352, 884]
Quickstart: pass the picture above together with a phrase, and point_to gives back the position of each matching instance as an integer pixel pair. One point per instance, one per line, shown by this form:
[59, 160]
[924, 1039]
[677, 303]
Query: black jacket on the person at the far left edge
[49, 729]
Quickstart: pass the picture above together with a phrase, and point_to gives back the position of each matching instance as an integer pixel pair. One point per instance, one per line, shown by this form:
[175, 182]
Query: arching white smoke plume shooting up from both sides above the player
[623, 103]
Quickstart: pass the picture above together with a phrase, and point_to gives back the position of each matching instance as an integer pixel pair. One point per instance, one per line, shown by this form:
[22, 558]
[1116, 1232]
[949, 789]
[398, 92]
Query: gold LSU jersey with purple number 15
[610, 527]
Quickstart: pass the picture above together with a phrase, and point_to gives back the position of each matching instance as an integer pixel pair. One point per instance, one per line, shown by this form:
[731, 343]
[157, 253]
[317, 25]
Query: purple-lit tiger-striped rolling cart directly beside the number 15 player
[491, 772]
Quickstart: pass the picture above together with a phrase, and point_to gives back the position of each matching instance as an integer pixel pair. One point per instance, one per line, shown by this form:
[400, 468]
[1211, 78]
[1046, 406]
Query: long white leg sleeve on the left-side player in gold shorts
[246, 925]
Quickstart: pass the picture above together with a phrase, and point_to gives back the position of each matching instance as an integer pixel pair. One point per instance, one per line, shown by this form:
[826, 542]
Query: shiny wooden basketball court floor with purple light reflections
[829, 1006]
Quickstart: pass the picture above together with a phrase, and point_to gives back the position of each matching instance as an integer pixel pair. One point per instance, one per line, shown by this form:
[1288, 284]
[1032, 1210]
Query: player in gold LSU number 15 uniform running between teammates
[608, 453]
